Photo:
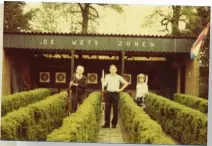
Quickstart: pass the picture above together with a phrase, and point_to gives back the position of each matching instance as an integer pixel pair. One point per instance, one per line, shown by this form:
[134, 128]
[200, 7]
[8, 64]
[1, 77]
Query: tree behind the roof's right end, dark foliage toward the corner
[194, 19]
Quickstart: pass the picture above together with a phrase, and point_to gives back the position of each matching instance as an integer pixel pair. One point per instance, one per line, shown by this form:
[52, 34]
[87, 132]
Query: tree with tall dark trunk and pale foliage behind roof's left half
[78, 17]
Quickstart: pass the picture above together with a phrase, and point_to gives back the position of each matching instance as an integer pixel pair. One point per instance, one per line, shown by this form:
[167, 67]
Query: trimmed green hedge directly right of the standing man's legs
[139, 126]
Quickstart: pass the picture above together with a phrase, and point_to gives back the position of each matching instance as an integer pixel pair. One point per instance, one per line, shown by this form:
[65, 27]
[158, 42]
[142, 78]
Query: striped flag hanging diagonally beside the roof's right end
[199, 42]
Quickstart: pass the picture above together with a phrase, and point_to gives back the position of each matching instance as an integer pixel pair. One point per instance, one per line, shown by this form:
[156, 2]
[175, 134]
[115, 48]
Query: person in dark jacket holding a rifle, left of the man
[78, 86]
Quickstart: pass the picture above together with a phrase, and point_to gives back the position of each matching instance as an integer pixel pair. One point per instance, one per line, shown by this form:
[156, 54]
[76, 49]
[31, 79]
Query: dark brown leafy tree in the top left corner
[14, 19]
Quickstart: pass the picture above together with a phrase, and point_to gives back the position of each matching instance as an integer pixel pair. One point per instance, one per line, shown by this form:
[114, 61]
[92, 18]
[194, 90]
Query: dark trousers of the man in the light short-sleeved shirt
[111, 99]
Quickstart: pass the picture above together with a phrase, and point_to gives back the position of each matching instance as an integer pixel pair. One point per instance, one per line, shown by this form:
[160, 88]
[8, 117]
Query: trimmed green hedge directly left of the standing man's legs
[81, 126]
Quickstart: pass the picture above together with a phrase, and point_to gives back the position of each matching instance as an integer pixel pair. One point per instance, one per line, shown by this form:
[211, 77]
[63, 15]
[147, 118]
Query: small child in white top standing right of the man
[141, 89]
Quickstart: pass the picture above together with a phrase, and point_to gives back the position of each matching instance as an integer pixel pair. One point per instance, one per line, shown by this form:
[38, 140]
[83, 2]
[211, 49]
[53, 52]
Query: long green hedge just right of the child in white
[186, 125]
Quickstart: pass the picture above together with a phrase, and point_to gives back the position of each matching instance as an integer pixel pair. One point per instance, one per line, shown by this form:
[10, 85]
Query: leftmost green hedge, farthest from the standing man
[15, 101]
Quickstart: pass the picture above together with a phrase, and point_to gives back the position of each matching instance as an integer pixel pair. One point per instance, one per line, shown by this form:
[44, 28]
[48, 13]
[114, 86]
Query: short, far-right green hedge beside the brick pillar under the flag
[194, 102]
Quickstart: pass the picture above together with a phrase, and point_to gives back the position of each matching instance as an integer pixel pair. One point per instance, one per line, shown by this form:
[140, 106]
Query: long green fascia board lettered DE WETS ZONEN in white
[97, 42]
